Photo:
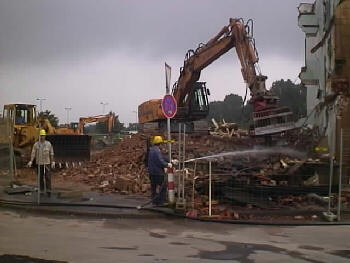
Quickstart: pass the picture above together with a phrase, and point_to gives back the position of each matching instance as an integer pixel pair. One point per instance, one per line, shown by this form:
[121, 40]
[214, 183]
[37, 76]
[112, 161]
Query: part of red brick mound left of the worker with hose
[119, 168]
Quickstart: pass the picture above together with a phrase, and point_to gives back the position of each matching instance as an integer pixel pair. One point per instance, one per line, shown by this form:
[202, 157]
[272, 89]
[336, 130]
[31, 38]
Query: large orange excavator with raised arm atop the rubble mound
[192, 96]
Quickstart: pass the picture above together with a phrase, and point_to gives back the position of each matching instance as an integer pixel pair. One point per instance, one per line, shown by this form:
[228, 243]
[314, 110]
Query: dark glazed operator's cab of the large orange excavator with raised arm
[199, 106]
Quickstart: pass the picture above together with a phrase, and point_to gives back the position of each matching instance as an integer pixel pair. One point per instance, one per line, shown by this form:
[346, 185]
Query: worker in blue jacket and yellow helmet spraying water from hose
[156, 164]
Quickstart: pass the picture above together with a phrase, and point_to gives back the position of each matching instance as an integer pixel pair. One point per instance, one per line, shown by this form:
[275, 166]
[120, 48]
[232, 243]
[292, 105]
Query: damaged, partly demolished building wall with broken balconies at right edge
[326, 75]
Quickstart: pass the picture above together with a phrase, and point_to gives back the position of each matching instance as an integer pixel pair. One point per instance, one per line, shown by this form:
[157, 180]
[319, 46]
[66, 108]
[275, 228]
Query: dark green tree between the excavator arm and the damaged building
[291, 95]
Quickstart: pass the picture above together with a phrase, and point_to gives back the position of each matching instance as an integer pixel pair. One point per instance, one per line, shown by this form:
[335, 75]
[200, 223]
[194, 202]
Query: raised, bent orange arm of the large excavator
[235, 35]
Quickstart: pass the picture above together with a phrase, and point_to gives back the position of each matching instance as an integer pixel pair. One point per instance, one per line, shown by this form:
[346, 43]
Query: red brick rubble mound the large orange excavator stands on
[121, 168]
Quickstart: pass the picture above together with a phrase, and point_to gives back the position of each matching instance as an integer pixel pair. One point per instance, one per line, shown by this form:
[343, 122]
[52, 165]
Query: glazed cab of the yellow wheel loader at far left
[20, 114]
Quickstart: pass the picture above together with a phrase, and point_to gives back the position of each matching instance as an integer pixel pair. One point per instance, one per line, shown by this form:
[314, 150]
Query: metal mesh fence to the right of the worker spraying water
[261, 184]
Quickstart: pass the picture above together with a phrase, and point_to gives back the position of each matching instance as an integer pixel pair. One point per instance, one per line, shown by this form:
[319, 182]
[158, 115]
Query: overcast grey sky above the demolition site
[79, 53]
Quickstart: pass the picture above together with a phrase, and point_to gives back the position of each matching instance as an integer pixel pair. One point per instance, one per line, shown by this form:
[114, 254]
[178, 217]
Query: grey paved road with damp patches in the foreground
[72, 239]
